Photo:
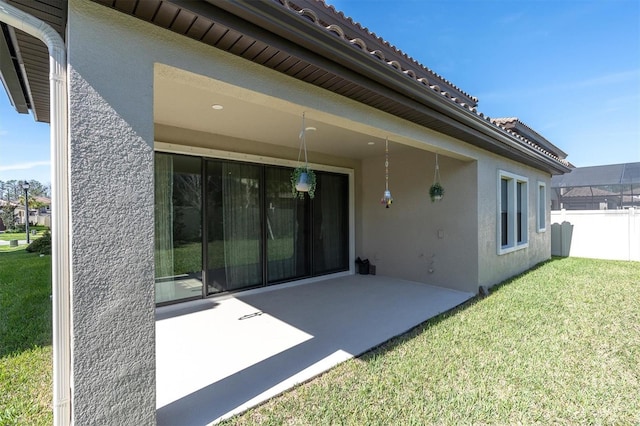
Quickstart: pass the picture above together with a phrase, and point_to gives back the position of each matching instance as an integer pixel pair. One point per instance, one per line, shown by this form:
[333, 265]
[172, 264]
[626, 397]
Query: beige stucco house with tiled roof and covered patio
[184, 122]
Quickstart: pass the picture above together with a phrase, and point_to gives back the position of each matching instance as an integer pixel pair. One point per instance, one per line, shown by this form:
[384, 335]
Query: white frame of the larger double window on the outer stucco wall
[511, 209]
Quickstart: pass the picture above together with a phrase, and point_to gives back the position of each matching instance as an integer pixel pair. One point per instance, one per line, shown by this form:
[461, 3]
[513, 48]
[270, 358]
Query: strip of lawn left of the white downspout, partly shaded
[25, 338]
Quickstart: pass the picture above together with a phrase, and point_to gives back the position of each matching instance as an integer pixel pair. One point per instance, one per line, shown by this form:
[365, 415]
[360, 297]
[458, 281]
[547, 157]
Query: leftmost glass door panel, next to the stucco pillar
[178, 234]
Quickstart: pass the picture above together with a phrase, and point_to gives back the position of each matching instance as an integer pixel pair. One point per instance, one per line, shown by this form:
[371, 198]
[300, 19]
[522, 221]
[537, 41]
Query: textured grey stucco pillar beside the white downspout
[111, 176]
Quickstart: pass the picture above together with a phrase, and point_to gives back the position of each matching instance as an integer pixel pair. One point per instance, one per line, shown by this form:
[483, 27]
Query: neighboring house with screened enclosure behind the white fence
[612, 186]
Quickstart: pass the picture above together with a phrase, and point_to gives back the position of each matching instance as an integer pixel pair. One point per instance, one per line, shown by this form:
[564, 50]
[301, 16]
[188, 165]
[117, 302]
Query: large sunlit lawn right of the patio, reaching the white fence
[559, 344]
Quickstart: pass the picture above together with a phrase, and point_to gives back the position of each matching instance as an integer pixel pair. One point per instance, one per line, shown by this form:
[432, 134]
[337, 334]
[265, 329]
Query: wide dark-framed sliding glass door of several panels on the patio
[252, 230]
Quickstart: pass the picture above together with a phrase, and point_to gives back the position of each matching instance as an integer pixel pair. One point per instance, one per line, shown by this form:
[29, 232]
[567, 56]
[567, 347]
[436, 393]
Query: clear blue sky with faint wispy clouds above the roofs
[569, 69]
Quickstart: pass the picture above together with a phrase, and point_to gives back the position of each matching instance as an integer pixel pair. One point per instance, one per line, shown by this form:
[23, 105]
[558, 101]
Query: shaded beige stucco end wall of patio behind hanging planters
[416, 239]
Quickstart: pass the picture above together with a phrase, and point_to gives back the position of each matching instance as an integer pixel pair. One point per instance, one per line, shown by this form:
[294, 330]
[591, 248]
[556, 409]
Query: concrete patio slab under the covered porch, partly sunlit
[218, 357]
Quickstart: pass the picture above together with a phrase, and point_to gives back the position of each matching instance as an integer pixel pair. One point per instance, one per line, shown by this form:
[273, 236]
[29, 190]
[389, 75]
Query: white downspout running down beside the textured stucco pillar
[60, 230]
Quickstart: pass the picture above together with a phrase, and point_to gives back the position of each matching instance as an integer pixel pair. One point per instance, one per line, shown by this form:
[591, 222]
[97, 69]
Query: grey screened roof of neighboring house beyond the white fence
[613, 174]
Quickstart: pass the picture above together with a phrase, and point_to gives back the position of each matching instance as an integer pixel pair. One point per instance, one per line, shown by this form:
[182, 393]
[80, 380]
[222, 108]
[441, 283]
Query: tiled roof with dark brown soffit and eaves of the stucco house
[309, 41]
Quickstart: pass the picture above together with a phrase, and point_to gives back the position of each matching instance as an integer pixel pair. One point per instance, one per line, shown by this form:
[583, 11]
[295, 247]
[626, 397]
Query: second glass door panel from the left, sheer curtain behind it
[233, 222]
